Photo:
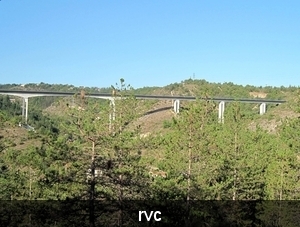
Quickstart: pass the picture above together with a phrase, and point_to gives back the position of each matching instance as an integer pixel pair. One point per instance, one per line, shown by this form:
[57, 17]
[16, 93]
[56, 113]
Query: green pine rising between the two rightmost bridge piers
[242, 161]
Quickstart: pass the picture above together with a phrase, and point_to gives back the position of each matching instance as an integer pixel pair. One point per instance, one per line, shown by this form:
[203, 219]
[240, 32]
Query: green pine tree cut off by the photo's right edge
[283, 171]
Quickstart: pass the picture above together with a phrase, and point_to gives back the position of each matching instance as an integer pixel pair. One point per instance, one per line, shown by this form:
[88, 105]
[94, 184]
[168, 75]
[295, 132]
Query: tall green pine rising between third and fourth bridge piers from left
[188, 148]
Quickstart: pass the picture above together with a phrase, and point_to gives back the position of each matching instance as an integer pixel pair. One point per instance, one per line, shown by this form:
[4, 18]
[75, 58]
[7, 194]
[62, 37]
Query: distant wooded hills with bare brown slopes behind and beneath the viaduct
[156, 116]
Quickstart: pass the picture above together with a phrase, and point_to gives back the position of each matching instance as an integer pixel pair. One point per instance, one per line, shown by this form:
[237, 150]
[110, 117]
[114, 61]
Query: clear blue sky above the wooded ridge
[149, 42]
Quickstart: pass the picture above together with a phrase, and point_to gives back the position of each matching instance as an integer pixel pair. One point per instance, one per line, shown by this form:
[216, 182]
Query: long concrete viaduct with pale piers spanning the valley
[176, 100]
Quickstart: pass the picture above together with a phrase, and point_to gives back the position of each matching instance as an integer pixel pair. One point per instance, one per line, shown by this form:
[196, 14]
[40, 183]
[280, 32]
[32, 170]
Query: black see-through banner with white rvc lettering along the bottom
[149, 213]
